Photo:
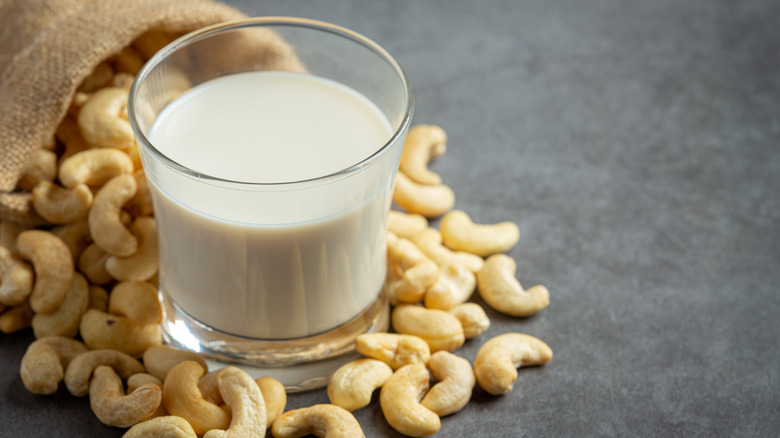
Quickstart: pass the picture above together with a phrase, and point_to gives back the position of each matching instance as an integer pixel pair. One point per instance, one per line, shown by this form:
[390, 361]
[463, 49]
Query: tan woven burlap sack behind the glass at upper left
[48, 47]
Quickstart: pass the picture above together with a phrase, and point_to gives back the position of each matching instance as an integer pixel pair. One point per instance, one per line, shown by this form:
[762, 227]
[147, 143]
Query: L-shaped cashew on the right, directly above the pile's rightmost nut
[499, 288]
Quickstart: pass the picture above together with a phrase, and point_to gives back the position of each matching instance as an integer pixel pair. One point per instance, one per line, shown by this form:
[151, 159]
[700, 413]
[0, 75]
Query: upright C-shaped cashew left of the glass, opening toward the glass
[105, 222]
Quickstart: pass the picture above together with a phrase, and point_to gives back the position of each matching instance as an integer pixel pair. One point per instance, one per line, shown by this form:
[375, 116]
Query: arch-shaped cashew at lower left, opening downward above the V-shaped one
[79, 371]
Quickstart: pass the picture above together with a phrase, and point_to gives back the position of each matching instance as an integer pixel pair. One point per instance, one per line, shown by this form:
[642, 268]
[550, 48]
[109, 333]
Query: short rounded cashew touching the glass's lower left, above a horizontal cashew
[137, 301]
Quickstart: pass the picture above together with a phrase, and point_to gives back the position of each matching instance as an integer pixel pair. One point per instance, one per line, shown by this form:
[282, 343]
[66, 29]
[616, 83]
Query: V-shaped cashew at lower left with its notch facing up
[110, 404]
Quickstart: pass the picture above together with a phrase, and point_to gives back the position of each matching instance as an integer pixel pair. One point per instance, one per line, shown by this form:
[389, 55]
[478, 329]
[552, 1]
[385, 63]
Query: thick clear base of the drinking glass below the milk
[300, 364]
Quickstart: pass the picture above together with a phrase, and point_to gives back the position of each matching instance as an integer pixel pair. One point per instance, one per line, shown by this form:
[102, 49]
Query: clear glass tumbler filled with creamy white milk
[270, 146]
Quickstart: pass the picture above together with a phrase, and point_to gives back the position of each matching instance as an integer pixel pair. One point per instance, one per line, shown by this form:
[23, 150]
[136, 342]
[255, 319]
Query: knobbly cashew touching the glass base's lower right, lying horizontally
[393, 349]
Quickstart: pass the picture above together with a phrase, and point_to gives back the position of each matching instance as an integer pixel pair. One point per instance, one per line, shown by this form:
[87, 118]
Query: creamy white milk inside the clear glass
[255, 269]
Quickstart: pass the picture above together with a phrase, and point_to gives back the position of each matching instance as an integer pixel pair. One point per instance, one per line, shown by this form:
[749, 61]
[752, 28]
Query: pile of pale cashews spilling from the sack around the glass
[86, 284]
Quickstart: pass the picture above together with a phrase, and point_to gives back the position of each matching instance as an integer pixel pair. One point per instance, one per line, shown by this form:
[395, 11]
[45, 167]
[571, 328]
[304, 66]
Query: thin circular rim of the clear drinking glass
[207, 31]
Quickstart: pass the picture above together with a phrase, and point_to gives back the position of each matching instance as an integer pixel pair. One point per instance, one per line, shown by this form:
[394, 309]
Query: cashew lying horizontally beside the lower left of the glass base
[102, 330]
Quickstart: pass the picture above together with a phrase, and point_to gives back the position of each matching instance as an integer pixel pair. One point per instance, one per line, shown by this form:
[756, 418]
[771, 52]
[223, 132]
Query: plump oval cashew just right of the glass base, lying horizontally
[439, 329]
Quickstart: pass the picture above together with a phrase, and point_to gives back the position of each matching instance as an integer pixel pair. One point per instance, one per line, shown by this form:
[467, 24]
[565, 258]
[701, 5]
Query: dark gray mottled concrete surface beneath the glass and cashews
[636, 144]
